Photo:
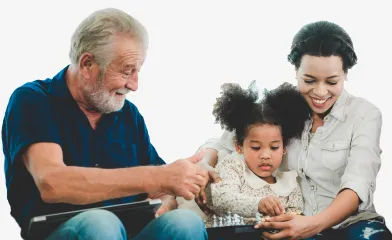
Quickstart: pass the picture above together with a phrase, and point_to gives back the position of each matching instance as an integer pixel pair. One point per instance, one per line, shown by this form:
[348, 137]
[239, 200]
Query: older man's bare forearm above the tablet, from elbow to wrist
[81, 185]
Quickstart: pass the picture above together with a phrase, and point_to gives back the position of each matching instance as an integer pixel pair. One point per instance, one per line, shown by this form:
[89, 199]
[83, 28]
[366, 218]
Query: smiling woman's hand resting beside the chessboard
[290, 226]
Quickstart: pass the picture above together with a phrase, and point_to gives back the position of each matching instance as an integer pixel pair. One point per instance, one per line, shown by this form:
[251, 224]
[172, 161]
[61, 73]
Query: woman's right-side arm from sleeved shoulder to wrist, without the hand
[358, 182]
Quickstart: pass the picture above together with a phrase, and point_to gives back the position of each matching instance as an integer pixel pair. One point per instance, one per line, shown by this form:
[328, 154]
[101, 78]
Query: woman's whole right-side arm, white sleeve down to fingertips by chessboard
[357, 184]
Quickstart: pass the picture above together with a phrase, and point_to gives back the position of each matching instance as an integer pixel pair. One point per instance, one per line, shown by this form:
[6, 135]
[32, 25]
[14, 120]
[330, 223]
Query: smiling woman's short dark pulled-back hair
[324, 39]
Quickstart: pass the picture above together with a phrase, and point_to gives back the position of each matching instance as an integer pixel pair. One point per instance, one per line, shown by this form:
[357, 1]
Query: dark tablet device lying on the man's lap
[134, 216]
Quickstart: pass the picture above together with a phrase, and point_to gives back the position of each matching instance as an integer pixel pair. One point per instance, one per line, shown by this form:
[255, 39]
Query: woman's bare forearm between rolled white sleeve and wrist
[345, 204]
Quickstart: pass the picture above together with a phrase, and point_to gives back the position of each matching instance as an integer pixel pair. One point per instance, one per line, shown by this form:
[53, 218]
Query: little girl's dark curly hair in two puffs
[240, 109]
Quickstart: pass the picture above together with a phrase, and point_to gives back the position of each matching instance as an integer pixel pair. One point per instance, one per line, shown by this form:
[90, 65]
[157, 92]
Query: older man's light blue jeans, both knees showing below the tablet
[102, 224]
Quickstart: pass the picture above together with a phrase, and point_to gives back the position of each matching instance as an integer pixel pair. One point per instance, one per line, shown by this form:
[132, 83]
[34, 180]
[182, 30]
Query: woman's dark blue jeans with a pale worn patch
[374, 229]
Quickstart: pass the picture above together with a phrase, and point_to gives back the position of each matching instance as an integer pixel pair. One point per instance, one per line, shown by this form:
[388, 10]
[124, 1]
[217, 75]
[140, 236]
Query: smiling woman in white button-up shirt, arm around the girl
[338, 156]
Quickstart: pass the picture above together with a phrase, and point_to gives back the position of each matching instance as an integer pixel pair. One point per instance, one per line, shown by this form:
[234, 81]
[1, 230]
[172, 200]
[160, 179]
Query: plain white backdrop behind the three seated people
[194, 48]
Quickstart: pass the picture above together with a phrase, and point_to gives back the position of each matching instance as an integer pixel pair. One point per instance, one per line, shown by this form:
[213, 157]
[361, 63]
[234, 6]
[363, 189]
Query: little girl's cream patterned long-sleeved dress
[240, 190]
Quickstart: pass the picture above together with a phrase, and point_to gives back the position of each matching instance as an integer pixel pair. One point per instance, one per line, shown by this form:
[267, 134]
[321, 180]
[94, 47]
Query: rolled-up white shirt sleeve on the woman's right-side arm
[364, 160]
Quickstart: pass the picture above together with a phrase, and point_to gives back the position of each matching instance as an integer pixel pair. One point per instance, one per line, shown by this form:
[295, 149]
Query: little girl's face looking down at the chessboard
[263, 150]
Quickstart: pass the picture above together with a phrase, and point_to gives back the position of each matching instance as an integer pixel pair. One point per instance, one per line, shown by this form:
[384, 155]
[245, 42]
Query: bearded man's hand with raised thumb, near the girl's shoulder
[183, 177]
